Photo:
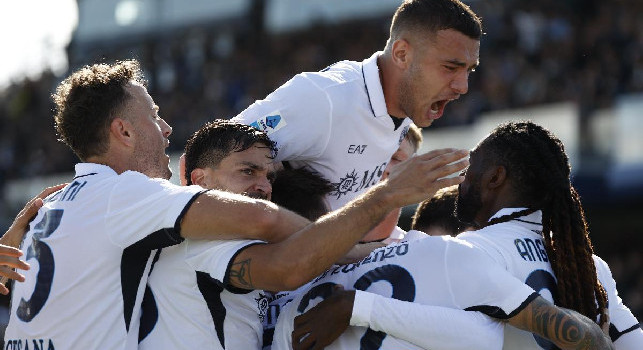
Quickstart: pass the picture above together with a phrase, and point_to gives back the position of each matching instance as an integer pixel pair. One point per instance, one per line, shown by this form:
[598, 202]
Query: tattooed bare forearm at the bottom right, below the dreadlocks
[565, 328]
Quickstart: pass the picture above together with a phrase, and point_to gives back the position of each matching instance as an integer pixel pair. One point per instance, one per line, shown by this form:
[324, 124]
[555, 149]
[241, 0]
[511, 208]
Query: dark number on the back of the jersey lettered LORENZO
[403, 289]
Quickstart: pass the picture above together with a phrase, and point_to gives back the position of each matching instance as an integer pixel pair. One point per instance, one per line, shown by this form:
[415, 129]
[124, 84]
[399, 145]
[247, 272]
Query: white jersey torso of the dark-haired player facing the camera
[192, 305]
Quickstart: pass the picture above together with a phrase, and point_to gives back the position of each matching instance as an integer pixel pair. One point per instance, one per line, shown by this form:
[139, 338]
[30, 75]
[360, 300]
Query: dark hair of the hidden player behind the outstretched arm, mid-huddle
[302, 191]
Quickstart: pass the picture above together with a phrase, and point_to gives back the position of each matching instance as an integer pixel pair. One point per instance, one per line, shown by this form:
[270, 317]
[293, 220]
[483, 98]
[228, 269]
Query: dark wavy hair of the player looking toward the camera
[215, 140]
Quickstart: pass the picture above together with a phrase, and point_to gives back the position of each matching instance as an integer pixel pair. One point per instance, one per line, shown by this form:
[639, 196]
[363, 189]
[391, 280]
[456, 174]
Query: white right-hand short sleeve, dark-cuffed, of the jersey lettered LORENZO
[477, 283]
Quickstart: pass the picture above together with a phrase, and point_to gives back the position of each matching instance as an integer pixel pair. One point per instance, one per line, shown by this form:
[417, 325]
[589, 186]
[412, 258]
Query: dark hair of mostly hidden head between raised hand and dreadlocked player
[438, 211]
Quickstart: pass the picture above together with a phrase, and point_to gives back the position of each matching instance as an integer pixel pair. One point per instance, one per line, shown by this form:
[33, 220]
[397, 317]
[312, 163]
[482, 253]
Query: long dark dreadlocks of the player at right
[538, 168]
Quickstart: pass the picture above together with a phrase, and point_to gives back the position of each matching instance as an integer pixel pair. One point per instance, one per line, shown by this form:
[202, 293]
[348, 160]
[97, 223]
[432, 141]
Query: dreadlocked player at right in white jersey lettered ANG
[518, 191]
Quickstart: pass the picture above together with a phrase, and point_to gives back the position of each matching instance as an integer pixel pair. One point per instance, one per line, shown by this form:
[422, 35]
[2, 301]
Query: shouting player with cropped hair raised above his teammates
[346, 121]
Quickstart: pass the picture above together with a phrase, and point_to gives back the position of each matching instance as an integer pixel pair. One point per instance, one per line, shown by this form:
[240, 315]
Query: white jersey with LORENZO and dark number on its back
[439, 271]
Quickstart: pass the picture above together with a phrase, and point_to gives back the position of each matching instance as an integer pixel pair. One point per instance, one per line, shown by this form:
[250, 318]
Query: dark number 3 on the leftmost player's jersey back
[28, 309]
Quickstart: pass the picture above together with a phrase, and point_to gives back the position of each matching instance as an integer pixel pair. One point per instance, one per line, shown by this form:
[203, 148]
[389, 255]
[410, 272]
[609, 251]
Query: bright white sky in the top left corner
[33, 36]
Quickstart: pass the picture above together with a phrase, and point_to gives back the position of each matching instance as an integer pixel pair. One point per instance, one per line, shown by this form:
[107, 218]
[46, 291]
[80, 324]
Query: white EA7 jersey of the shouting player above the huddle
[334, 121]
